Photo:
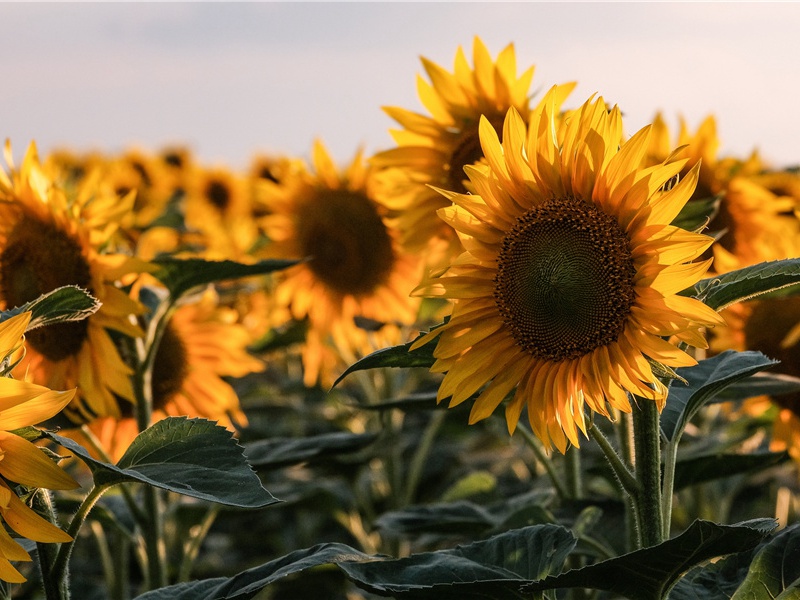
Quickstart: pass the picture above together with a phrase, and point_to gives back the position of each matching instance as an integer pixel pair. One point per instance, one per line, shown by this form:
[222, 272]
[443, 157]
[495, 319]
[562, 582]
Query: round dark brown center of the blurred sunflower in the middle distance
[349, 245]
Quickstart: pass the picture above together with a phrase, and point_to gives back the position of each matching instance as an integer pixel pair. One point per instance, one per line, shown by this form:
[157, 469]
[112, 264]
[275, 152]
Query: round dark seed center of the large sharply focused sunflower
[564, 283]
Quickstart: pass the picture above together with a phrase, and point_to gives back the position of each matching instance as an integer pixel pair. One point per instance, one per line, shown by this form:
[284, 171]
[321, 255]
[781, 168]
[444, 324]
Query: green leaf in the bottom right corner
[775, 571]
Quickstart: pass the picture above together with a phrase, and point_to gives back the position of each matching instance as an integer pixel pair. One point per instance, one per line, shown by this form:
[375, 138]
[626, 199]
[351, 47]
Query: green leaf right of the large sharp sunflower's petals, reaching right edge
[743, 284]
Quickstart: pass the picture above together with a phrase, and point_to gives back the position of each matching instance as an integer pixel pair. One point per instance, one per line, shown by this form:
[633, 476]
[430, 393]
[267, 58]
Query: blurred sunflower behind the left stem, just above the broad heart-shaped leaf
[202, 343]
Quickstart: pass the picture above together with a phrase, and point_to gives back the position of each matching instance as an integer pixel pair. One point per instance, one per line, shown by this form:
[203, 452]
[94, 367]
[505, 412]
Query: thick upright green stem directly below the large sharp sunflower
[647, 446]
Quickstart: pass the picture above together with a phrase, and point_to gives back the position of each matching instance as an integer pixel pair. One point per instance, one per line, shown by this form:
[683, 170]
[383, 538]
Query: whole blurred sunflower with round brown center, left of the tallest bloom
[355, 268]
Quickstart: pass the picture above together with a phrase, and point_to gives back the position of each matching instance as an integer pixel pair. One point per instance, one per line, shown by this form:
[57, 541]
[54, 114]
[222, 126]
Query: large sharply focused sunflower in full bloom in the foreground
[568, 282]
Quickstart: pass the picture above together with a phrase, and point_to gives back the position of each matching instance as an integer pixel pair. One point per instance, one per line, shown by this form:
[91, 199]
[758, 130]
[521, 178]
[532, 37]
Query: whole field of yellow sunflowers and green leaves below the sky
[524, 353]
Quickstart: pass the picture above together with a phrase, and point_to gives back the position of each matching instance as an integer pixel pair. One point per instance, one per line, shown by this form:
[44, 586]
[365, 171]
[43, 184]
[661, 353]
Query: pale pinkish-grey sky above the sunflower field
[230, 80]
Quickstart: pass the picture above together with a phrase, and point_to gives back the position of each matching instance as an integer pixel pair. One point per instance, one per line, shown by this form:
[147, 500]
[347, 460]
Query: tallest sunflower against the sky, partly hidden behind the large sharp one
[433, 150]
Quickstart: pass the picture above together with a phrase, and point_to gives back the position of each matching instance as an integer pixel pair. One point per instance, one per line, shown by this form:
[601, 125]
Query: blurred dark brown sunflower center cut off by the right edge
[768, 324]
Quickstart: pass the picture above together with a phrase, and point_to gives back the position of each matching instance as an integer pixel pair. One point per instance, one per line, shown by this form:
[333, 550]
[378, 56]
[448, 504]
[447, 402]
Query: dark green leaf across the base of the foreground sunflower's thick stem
[650, 573]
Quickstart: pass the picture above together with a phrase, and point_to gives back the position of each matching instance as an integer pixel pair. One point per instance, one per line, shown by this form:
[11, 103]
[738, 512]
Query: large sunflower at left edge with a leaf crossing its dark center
[48, 240]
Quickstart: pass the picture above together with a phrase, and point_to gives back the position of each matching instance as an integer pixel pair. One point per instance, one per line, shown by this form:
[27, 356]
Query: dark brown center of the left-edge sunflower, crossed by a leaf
[38, 258]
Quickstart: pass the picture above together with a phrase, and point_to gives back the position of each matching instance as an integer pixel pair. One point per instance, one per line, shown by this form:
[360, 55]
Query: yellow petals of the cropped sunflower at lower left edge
[23, 404]
